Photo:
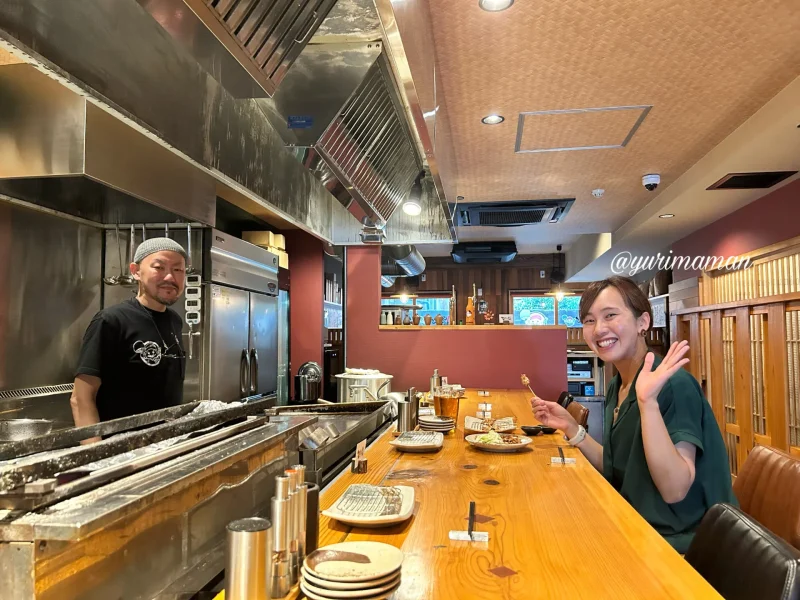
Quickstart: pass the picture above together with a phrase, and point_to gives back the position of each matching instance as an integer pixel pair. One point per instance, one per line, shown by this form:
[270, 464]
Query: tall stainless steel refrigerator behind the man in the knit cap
[239, 327]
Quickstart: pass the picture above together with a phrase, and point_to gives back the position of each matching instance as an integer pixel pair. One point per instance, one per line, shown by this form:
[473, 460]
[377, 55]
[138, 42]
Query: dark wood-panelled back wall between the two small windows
[524, 273]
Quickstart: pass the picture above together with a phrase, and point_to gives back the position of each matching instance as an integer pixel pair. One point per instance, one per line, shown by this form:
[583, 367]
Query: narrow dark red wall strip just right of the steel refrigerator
[306, 274]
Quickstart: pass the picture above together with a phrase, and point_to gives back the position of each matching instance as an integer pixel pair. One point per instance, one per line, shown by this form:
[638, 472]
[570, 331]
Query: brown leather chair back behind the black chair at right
[768, 489]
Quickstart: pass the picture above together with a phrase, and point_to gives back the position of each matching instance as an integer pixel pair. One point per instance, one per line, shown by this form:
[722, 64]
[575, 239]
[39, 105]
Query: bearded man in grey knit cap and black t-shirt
[131, 360]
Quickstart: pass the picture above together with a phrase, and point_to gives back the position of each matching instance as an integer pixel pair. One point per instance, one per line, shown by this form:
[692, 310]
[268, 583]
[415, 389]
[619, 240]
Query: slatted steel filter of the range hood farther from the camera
[369, 141]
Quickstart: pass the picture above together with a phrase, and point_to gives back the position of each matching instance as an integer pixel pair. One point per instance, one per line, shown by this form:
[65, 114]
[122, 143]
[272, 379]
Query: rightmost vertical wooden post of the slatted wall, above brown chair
[776, 377]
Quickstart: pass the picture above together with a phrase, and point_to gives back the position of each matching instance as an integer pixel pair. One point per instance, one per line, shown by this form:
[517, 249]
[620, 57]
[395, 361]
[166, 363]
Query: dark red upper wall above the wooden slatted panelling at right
[768, 220]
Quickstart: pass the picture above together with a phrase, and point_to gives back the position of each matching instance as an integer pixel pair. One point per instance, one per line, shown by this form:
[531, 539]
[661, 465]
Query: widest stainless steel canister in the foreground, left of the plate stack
[249, 551]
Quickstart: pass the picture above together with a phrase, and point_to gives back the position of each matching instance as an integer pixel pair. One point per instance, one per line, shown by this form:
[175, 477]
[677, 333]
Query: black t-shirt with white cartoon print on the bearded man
[124, 347]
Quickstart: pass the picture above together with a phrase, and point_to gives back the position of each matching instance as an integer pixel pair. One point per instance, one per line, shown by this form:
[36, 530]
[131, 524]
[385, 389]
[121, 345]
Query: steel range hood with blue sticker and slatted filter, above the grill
[339, 112]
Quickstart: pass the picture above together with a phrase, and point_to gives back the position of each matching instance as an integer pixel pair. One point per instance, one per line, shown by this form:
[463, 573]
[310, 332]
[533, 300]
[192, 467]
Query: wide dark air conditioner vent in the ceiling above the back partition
[512, 214]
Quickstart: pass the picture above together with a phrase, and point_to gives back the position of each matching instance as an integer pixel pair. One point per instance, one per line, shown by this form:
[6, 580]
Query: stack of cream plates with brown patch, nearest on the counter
[358, 570]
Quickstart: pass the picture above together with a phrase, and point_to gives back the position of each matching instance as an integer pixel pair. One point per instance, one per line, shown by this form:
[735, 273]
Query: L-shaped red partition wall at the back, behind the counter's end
[488, 358]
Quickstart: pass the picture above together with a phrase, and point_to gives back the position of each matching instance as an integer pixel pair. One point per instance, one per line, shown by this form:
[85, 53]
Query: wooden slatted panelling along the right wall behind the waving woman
[745, 348]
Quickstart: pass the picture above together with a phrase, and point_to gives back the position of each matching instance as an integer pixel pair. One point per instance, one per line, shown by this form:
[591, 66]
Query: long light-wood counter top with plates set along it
[554, 531]
